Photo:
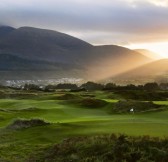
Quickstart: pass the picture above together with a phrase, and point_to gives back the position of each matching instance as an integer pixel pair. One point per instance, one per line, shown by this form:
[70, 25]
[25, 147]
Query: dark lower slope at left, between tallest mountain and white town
[16, 68]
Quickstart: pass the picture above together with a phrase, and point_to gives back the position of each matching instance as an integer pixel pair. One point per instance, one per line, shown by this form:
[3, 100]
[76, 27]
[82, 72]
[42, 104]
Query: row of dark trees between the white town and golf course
[92, 86]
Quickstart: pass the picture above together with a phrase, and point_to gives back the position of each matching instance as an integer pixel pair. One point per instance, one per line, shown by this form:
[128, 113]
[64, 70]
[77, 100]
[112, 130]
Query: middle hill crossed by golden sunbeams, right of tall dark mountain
[110, 60]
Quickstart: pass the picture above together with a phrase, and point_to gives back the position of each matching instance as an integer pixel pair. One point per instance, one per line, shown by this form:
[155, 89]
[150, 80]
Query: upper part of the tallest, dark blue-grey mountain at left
[41, 44]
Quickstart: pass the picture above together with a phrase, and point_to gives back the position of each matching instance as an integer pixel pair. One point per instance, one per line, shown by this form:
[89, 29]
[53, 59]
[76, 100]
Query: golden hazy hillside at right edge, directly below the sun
[154, 71]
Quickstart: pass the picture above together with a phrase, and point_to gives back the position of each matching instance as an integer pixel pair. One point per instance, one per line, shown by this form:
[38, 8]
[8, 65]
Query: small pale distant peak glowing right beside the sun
[149, 54]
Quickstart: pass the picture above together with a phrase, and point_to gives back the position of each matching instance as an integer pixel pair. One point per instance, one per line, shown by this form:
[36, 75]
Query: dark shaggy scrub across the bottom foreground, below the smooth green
[106, 148]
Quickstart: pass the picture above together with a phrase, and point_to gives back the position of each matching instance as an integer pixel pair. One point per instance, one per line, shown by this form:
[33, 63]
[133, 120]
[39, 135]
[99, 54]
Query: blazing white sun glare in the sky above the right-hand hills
[160, 48]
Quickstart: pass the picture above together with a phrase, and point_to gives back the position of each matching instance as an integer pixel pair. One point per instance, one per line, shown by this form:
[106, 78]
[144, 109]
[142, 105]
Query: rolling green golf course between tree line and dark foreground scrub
[61, 115]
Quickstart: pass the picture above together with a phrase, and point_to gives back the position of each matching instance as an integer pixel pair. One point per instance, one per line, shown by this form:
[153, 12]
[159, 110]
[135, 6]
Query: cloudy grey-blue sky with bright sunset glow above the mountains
[129, 23]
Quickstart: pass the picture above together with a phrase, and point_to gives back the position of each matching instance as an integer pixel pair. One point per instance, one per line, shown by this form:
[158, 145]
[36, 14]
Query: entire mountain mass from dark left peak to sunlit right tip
[40, 49]
